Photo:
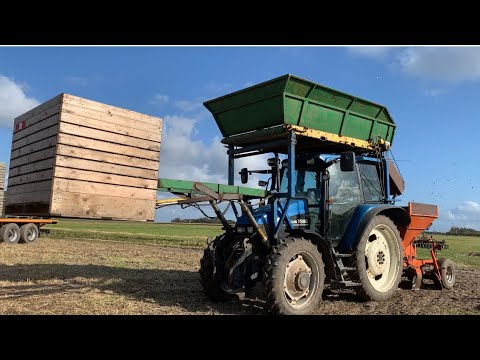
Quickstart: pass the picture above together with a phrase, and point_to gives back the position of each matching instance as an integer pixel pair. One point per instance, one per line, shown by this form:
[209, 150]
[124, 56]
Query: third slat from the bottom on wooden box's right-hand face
[90, 165]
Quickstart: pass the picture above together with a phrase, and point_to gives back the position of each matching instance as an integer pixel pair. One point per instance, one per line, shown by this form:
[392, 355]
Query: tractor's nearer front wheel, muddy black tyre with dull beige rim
[294, 277]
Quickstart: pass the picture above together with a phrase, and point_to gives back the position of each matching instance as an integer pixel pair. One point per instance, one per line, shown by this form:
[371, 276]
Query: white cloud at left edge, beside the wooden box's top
[13, 101]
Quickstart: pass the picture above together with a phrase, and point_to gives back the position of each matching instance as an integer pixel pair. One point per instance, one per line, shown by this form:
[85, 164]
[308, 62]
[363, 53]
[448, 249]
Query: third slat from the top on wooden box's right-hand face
[78, 130]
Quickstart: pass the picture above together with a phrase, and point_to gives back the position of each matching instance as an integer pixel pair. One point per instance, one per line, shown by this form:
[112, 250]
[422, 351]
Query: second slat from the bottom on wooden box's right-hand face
[86, 187]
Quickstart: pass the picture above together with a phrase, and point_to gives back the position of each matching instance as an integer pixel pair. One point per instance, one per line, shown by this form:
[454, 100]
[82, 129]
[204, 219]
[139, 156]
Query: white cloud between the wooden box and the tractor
[183, 157]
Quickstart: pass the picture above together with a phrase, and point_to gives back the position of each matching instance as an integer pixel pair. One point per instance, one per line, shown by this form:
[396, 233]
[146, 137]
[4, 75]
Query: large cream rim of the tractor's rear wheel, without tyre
[381, 257]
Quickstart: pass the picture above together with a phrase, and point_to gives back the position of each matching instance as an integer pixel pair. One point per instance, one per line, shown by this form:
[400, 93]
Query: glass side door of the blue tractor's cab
[344, 197]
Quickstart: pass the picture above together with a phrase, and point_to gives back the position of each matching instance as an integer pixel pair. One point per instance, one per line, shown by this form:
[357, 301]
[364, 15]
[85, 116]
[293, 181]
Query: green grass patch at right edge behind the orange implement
[463, 250]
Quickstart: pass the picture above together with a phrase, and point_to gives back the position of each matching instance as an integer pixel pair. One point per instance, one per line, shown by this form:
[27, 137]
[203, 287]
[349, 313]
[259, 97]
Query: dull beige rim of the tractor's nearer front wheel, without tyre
[301, 280]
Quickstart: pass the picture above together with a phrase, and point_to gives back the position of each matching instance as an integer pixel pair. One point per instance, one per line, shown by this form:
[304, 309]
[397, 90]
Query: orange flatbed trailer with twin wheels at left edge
[22, 229]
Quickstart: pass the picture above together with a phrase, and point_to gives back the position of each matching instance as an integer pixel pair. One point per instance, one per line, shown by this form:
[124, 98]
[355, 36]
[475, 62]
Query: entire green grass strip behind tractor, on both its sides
[463, 250]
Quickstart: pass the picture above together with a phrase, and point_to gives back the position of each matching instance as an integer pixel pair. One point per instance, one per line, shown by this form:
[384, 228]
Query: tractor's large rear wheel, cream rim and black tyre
[378, 260]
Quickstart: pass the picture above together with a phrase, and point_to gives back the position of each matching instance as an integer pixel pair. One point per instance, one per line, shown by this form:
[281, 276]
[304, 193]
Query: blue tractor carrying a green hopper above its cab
[328, 216]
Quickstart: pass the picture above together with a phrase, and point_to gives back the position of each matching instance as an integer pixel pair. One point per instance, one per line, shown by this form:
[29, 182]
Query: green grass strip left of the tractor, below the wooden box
[152, 233]
